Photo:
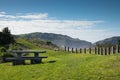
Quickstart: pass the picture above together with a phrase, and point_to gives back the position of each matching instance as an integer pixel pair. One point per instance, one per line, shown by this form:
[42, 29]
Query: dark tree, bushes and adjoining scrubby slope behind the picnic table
[7, 43]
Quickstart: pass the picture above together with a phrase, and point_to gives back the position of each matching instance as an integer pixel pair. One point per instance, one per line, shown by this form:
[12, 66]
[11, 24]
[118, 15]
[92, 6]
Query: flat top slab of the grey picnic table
[28, 51]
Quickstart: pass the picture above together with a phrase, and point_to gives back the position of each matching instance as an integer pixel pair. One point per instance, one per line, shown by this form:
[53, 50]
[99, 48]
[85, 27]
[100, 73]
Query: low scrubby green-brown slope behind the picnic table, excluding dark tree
[35, 43]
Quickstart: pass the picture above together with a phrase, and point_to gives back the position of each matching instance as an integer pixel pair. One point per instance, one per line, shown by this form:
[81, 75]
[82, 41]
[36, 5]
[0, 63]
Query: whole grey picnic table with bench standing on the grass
[19, 59]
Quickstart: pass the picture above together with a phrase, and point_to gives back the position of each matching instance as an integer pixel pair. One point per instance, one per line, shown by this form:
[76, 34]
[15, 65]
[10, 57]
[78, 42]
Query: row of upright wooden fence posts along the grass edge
[95, 50]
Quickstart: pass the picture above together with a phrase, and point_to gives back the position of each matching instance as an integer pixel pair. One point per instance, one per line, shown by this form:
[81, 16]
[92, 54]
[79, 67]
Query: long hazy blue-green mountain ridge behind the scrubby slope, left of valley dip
[58, 39]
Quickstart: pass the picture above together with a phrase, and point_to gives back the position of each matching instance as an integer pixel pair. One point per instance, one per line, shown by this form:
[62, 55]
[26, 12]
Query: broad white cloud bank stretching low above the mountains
[41, 23]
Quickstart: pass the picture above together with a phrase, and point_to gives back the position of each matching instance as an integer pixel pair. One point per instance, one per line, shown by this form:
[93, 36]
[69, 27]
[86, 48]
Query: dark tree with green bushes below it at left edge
[5, 40]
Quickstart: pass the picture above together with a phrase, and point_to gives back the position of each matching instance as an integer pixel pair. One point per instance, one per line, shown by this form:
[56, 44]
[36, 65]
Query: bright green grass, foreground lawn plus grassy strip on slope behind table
[61, 65]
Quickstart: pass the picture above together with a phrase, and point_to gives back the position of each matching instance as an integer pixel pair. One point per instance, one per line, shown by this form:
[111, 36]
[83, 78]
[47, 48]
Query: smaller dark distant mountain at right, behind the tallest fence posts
[109, 41]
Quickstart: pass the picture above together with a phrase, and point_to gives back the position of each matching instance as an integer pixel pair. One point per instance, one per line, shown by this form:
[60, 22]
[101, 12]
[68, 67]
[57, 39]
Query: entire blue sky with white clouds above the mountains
[90, 20]
